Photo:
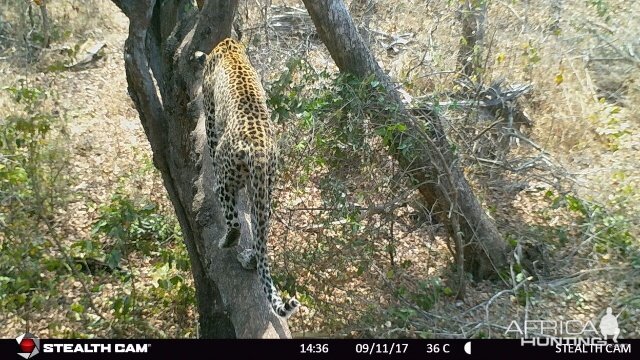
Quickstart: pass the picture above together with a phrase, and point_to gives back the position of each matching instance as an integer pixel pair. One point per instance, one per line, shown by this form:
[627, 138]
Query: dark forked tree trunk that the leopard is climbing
[164, 84]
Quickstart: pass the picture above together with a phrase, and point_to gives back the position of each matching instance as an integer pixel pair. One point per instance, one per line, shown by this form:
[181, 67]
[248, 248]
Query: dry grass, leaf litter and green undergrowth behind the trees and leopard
[89, 246]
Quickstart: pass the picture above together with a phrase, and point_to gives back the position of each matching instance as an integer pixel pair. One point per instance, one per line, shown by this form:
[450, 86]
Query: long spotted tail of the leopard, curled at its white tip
[260, 167]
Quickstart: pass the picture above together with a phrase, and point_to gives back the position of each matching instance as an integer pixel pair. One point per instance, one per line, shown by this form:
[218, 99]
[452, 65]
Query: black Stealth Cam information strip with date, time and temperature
[30, 346]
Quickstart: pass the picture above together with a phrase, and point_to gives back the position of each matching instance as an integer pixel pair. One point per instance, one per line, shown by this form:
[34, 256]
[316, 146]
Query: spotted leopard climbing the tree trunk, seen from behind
[241, 138]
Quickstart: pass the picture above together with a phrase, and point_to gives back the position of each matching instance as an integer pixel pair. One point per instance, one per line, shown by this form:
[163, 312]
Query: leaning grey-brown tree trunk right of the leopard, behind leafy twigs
[432, 166]
